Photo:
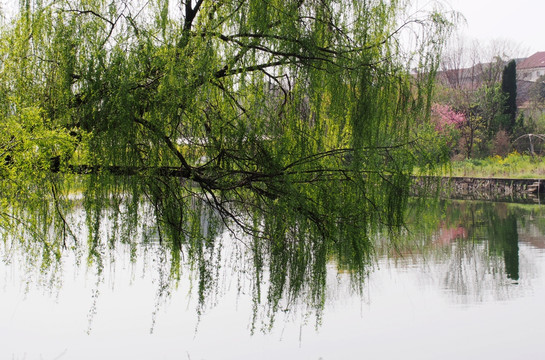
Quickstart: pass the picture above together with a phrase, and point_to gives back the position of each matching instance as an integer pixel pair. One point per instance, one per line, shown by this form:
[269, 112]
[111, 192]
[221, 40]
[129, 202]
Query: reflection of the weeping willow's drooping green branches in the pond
[101, 225]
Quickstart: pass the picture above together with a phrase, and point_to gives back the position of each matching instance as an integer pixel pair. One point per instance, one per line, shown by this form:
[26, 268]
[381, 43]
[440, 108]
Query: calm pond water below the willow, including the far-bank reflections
[466, 282]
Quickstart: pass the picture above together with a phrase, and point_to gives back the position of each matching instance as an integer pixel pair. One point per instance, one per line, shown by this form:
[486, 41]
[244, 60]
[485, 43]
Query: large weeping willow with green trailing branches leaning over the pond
[293, 124]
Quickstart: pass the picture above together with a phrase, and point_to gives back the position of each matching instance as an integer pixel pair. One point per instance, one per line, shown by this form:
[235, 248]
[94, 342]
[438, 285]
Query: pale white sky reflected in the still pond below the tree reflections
[456, 303]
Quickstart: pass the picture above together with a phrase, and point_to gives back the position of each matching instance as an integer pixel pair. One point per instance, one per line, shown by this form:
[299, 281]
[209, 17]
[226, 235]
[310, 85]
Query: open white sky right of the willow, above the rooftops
[519, 22]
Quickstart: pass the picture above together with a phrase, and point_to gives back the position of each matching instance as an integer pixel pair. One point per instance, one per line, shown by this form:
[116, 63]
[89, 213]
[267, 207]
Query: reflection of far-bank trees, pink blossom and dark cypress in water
[471, 249]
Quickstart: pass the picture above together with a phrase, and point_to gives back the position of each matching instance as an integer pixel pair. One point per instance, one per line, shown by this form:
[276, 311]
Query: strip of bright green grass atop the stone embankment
[514, 165]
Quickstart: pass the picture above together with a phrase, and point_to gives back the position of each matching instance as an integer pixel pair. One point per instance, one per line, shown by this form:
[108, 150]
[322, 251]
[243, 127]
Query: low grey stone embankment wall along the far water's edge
[482, 188]
